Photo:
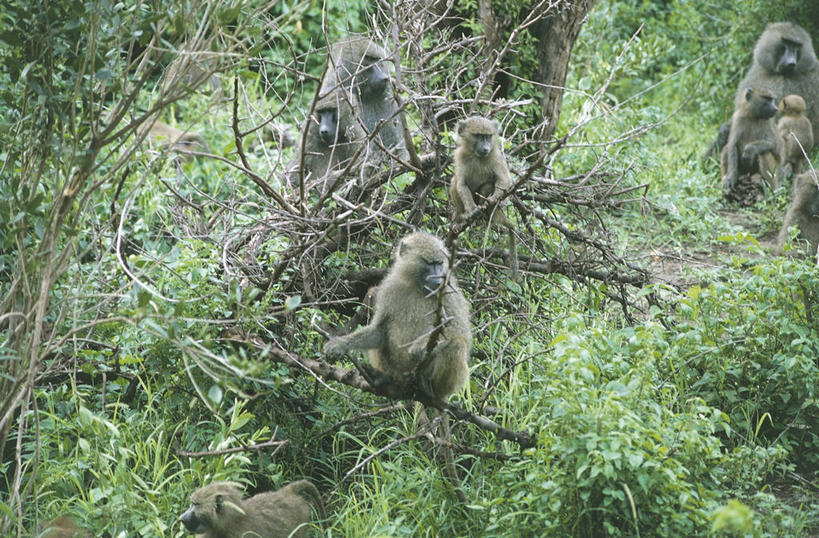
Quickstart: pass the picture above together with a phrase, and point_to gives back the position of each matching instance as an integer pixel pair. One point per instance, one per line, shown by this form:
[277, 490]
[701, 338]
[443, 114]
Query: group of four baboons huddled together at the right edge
[772, 131]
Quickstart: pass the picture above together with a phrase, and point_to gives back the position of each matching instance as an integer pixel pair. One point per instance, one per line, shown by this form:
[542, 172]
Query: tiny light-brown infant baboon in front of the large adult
[797, 135]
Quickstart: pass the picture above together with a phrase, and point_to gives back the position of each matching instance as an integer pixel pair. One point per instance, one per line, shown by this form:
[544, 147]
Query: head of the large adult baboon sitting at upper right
[785, 49]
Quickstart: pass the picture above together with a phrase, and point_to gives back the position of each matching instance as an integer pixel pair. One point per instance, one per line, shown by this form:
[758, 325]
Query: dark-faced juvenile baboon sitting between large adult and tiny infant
[753, 145]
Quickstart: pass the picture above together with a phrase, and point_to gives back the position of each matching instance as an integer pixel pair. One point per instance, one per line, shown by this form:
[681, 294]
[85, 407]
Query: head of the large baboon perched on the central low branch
[423, 257]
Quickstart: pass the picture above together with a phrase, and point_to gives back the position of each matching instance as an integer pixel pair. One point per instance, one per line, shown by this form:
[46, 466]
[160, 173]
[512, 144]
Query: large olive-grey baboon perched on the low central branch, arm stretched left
[406, 310]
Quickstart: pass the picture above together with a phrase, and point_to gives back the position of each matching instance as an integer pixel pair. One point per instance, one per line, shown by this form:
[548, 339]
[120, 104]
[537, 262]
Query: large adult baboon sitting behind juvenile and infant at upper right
[784, 63]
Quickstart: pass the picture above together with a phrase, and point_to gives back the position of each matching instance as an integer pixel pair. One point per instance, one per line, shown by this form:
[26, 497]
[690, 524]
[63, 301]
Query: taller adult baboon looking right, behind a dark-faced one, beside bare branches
[358, 66]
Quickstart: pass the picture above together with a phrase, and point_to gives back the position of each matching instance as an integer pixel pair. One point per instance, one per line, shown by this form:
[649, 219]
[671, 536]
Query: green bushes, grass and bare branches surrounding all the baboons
[650, 371]
